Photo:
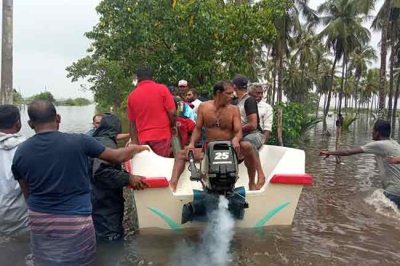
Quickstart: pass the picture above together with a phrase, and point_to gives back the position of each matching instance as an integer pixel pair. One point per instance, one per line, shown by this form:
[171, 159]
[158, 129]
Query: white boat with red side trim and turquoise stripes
[274, 204]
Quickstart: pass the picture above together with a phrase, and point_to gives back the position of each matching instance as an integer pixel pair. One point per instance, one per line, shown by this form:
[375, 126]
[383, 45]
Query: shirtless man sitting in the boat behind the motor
[221, 121]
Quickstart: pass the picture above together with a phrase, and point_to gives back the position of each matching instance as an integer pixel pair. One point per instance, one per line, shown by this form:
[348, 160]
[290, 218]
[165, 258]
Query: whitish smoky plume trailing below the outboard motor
[216, 238]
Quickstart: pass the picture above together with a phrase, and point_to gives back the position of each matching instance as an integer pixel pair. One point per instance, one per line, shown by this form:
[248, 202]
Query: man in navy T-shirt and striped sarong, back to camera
[52, 170]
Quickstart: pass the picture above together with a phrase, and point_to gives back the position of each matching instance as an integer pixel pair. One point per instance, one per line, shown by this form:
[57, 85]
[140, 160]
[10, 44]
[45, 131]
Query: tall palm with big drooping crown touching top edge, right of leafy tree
[343, 32]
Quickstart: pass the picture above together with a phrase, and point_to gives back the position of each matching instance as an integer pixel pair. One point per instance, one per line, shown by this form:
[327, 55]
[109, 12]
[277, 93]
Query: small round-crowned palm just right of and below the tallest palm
[359, 61]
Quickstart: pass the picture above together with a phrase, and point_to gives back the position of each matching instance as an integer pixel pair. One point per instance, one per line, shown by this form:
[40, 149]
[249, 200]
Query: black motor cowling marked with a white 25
[220, 167]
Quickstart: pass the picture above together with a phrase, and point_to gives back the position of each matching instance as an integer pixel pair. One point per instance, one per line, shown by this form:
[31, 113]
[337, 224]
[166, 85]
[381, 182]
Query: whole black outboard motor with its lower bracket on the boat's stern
[218, 175]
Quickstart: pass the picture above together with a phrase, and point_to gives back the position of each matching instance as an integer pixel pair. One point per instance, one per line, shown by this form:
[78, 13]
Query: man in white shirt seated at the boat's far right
[265, 111]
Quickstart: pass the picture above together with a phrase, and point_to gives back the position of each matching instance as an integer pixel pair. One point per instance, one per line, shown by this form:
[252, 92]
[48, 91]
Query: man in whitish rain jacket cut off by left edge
[13, 210]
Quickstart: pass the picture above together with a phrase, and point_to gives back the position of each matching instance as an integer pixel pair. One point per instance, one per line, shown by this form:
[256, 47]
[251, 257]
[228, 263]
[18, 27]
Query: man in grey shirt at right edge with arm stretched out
[382, 147]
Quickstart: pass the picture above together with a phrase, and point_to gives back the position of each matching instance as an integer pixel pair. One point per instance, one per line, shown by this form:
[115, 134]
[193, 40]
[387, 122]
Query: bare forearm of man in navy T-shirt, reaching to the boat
[121, 155]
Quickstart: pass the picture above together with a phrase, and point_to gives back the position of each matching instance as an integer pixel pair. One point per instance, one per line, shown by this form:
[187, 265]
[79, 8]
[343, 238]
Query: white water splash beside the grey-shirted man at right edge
[383, 205]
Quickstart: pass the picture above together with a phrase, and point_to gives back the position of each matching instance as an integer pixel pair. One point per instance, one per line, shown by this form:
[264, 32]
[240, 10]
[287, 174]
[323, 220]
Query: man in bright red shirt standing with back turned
[151, 111]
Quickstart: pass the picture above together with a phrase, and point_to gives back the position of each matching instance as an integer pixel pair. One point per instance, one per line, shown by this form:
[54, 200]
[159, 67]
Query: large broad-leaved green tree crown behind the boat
[200, 41]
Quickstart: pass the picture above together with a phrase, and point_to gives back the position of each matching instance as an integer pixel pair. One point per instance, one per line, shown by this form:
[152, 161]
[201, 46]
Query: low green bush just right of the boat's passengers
[295, 123]
